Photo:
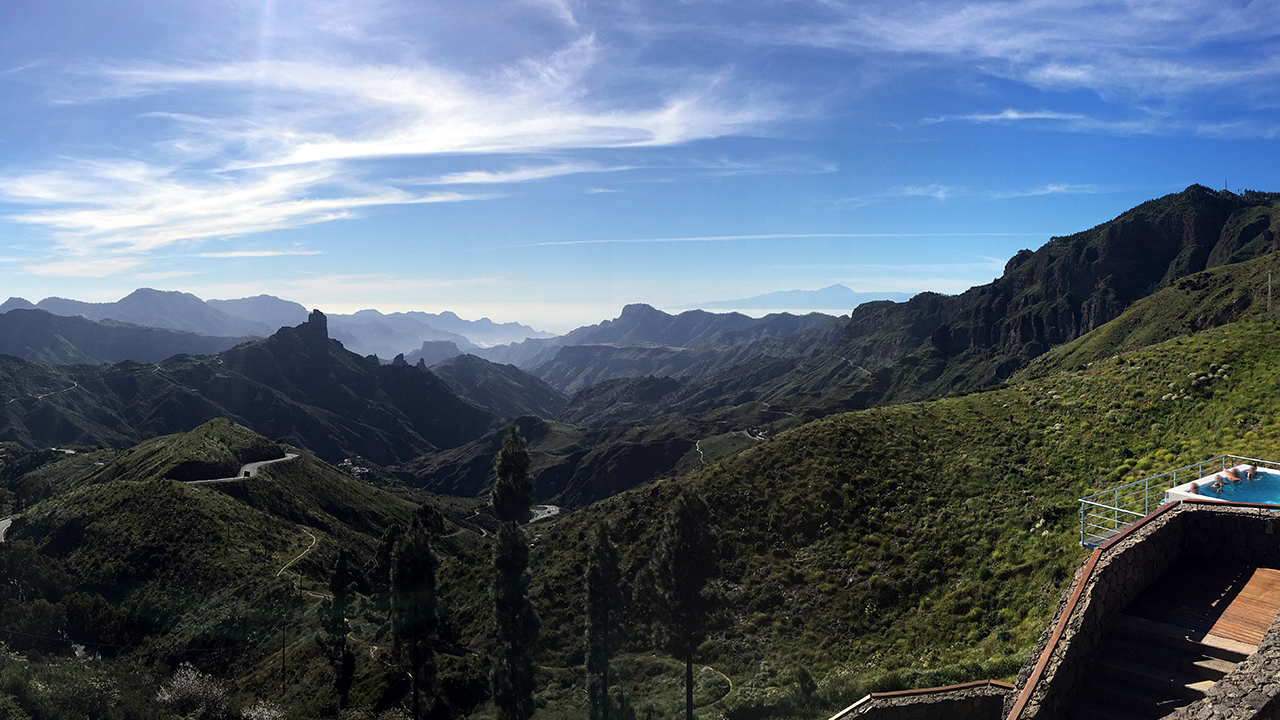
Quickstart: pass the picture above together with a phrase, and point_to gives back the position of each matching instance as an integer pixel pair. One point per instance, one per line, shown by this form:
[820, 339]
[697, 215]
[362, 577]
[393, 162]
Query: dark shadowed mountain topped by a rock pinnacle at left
[298, 386]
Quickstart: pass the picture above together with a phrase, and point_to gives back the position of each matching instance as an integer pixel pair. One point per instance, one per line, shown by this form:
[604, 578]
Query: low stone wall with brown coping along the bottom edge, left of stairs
[971, 701]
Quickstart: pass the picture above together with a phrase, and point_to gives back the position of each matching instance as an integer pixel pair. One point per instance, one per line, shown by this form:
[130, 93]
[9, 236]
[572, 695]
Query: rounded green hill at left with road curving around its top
[198, 568]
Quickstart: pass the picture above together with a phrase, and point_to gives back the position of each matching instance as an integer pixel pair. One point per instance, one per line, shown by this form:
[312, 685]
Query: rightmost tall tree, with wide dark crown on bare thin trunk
[684, 562]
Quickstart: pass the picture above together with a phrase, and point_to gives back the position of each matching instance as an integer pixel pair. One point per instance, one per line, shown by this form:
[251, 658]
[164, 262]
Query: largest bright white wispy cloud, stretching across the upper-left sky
[367, 112]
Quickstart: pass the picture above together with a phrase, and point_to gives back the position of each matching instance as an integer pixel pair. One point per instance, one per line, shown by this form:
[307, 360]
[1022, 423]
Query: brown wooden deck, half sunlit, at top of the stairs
[1214, 599]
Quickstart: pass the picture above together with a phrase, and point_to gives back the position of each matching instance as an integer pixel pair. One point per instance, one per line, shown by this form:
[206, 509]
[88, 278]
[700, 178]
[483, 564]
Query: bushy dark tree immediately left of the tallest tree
[414, 603]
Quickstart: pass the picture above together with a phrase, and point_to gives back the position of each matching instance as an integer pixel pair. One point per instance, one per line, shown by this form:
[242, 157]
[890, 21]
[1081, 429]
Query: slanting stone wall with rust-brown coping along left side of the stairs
[1123, 572]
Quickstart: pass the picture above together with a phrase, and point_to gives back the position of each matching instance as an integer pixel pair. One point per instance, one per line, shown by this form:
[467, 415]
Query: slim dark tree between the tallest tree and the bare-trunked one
[605, 608]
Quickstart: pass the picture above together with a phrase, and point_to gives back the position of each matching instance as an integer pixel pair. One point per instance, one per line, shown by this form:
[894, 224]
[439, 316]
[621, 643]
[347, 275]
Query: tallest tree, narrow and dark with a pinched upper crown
[516, 622]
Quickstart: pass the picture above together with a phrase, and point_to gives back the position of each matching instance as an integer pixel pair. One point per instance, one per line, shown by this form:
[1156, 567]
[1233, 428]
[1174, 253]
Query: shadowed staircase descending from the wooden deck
[1146, 669]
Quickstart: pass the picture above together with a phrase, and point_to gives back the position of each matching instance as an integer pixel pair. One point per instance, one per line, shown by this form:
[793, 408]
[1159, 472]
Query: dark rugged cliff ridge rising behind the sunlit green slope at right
[934, 344]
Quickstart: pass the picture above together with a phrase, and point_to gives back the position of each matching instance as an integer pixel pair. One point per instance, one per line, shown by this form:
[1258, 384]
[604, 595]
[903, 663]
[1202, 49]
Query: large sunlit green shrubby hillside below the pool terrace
[930, 535]
